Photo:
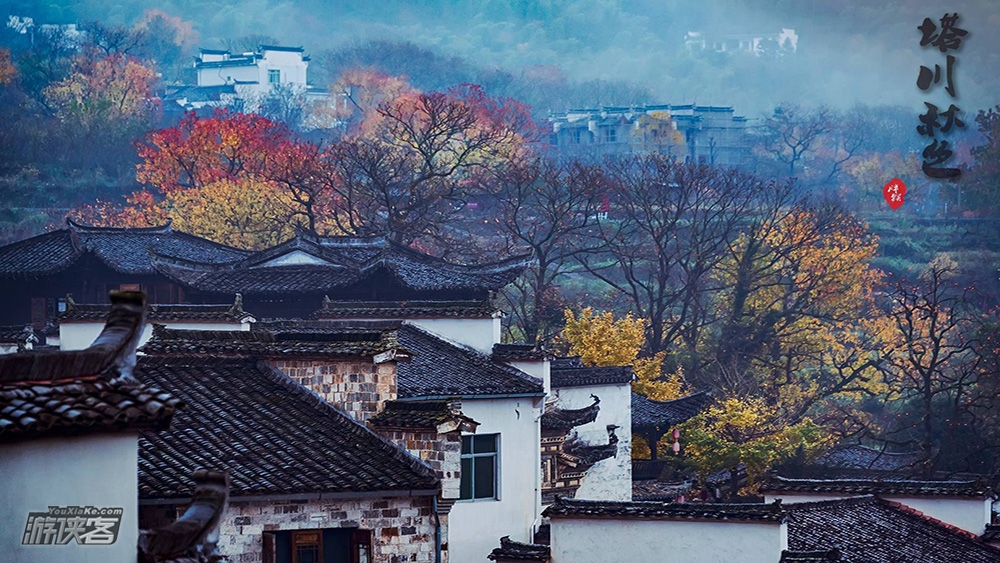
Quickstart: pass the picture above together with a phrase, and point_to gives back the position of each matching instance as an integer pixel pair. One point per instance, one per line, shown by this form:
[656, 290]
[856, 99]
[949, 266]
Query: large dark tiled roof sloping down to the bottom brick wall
[271, 434]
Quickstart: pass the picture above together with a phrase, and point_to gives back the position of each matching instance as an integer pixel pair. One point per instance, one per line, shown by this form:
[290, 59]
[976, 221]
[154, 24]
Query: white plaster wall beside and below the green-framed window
[476, 526]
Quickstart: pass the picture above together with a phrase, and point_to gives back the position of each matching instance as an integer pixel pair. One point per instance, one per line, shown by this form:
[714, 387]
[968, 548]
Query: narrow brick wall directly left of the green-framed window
[441, 452]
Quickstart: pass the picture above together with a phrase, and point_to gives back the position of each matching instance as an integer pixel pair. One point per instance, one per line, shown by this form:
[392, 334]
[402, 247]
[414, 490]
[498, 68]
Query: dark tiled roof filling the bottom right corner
[872, 530]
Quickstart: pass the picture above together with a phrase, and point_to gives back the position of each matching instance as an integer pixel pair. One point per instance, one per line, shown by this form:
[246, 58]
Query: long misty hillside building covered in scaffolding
[692, 133]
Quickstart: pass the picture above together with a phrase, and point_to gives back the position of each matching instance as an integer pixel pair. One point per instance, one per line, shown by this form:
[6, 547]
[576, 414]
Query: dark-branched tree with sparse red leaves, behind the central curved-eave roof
[418, 160]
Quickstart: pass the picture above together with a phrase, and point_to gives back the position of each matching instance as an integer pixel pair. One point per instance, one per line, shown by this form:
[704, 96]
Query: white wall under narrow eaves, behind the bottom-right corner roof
[968, 514]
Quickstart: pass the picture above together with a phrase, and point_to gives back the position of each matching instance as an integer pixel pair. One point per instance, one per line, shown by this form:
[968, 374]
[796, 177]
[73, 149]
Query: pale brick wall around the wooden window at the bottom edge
[402, 528]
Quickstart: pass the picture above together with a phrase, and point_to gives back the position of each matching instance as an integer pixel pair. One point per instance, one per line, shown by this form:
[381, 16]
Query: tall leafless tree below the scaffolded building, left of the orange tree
[667, 231]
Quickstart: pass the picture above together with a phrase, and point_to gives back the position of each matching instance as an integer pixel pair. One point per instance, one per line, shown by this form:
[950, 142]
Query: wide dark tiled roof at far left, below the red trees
[123, 250]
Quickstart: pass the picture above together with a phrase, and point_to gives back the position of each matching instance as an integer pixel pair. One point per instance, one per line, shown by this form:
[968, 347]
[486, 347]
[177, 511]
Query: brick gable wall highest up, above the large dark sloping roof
[357, 388]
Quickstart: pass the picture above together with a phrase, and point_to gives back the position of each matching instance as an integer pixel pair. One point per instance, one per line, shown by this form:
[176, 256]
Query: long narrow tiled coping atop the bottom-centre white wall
[575, 508]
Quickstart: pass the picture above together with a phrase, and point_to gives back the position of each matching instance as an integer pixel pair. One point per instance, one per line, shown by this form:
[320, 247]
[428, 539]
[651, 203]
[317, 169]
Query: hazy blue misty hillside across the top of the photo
[848, 51]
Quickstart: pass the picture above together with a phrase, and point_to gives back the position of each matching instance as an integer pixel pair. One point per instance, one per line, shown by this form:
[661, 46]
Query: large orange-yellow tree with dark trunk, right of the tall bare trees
[796, 314]
